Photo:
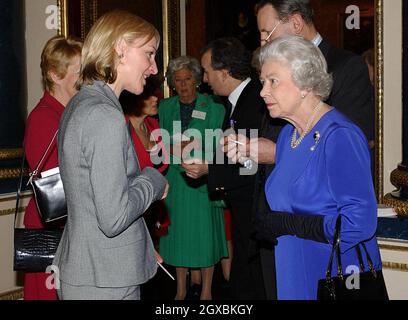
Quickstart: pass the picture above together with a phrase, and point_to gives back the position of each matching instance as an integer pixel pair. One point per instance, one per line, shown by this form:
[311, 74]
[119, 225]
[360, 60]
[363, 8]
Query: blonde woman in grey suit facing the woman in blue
[106, 251]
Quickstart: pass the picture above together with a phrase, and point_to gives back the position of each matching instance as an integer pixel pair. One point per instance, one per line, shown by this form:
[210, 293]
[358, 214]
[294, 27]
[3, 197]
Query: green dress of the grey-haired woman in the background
[196, 235]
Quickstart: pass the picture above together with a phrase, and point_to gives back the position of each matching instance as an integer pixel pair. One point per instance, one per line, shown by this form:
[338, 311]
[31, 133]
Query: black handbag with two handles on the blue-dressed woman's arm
[371, 283]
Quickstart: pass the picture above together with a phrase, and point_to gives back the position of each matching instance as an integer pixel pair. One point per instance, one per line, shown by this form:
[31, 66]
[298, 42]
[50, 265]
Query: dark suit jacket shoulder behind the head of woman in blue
[352, 92]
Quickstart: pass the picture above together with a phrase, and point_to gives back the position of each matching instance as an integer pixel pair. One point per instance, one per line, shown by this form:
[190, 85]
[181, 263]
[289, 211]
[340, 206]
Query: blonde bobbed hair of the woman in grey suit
[99, 57]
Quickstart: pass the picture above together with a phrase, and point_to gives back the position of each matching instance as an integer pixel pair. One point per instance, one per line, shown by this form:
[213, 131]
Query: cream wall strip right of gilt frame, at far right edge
[392, 89]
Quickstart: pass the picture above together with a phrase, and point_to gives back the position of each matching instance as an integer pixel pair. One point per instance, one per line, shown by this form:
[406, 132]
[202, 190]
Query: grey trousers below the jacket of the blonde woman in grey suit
[69, 292]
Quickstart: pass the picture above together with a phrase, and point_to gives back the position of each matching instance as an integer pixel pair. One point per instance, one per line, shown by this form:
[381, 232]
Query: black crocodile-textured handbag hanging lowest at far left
[34, 249]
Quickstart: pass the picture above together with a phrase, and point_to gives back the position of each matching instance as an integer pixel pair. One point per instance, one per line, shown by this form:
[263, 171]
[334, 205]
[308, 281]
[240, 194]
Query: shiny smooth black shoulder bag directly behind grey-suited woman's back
[48, 192]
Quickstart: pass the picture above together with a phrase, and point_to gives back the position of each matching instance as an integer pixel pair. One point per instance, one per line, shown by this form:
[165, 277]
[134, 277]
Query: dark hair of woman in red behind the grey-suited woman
[133, 104]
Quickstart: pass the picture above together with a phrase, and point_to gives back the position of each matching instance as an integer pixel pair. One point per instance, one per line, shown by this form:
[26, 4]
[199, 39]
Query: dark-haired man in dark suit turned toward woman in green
[227, 69]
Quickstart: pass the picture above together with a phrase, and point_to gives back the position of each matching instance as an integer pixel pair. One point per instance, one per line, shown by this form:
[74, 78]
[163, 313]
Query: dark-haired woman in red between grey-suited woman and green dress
[140, 112]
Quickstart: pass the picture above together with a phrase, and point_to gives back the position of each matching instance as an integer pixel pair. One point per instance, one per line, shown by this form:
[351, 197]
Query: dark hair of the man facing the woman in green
[230, 54]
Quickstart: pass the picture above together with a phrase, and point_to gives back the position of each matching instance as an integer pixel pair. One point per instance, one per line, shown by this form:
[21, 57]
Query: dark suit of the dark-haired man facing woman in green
[246, 277]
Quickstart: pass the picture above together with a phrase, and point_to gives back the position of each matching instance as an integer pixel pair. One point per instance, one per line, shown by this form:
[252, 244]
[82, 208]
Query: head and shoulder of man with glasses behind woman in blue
[351, 93]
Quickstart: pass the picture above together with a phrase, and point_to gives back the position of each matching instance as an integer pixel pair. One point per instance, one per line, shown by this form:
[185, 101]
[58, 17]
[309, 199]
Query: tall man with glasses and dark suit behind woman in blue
[351, 94]
